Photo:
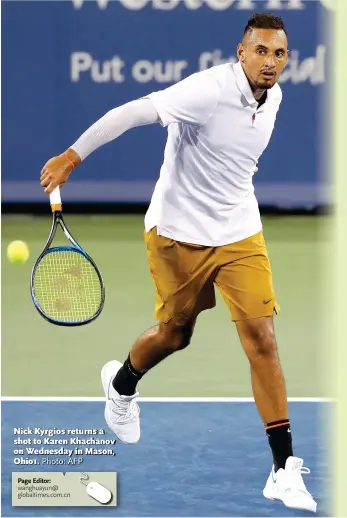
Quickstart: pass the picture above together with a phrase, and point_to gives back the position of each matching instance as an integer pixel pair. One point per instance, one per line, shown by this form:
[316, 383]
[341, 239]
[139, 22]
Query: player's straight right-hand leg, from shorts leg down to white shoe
[245, 281]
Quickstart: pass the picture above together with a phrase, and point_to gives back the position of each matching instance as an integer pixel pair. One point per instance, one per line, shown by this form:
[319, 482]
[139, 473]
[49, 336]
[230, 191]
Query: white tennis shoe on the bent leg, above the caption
[122, 413]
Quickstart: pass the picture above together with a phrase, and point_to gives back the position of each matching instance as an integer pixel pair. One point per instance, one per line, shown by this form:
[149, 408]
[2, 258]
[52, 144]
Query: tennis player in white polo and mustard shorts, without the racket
[203, 229]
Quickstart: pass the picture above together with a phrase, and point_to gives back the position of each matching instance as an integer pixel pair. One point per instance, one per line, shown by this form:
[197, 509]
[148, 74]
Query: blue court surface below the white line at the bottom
[198, 459]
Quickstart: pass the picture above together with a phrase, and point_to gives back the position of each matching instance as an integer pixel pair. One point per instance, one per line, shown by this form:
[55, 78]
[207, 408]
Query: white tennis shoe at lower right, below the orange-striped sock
[288, 486]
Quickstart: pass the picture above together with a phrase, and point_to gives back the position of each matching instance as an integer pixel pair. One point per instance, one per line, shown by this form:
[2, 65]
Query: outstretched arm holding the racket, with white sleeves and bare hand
[190, 101]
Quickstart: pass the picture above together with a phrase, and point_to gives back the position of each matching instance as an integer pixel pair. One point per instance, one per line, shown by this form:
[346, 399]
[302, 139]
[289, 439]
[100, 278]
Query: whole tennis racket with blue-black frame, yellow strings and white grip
[66, 285]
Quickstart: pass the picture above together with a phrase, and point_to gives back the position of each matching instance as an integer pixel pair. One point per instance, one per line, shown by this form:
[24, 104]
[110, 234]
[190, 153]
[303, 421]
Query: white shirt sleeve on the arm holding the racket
[191, 101]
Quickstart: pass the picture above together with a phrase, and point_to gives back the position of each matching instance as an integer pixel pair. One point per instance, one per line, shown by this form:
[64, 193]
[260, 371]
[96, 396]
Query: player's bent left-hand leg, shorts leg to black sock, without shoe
[183, 278]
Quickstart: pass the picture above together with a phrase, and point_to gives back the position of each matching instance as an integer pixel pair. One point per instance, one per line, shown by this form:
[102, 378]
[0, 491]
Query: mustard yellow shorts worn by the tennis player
[185, 274]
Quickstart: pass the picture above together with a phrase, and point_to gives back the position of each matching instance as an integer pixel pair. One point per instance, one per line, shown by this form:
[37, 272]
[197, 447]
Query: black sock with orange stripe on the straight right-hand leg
[280, 440]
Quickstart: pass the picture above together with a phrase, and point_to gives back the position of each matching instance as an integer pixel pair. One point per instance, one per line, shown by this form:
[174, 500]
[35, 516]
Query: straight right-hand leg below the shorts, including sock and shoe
[285, 481]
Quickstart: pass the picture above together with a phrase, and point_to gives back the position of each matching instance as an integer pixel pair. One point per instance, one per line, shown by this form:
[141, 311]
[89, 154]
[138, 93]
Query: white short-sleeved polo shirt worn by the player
[216, 135]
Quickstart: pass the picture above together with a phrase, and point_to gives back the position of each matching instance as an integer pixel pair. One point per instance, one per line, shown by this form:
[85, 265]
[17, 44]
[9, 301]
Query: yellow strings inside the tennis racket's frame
[67, 286]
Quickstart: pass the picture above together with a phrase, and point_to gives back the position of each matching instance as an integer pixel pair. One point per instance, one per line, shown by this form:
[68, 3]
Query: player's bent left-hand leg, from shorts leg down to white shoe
[183, 276]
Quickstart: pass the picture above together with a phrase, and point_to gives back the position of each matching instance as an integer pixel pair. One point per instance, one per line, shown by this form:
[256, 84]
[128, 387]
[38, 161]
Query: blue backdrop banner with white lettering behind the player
[66, 63]
